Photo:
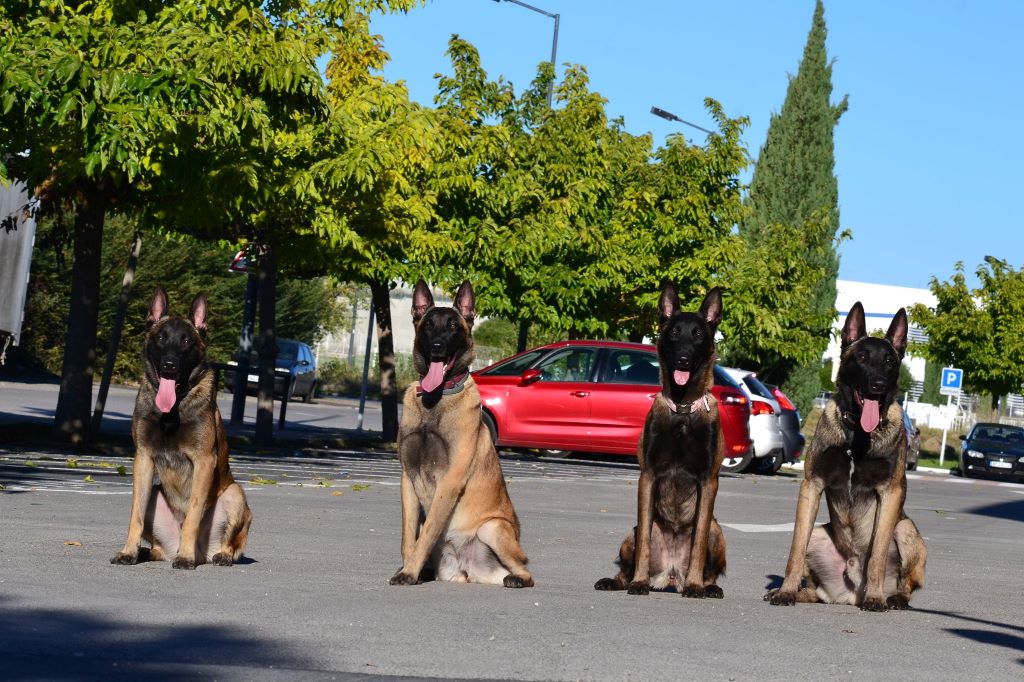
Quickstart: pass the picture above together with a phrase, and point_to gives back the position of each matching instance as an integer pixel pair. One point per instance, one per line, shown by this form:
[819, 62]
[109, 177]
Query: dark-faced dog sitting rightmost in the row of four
[870, 555]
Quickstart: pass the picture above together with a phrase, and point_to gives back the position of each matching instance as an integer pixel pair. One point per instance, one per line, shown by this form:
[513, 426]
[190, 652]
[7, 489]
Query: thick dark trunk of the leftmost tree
[72, 421]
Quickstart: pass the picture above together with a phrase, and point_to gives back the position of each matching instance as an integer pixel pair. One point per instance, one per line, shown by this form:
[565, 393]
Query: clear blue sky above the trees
[928, 156]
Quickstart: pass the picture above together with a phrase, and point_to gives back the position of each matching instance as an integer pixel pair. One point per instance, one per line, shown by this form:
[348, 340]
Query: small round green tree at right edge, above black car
[980, 331]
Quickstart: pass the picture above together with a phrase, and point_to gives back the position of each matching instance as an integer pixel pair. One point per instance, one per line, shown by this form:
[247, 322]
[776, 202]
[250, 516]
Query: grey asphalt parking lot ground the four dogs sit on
[311, 600]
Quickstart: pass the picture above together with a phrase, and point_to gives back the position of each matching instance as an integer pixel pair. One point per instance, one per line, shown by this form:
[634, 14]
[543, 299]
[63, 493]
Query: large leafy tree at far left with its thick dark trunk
[113, 107]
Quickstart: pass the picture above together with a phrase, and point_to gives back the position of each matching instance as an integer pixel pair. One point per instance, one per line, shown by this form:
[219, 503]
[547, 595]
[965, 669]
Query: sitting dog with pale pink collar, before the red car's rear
[677, 543]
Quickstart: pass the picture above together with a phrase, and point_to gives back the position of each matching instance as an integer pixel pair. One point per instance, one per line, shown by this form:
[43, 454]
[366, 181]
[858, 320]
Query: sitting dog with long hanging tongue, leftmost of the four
[197, 514]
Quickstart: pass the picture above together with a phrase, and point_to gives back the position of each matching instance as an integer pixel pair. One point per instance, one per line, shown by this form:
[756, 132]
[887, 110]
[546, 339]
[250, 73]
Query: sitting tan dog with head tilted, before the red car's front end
[456, 510]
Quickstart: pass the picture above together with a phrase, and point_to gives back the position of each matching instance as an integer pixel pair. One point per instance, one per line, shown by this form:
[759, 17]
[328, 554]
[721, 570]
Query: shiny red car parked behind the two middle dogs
[591, 397]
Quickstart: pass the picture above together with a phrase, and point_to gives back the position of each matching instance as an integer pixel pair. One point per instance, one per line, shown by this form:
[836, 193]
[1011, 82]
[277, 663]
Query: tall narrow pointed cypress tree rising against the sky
[794, 185]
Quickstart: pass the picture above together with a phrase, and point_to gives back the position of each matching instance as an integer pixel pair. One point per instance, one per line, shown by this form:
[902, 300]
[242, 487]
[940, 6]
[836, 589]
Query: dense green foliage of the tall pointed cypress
[794, 217]
